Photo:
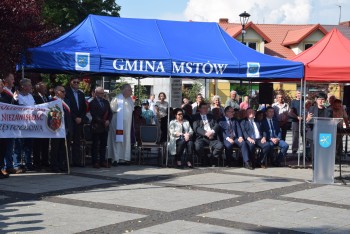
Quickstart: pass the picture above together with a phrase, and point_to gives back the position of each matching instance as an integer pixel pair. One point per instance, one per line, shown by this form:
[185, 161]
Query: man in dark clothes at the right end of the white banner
[58, 162]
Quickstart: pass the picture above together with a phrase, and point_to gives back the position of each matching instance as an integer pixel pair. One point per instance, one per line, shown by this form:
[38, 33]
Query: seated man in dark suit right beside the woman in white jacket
[207, 131]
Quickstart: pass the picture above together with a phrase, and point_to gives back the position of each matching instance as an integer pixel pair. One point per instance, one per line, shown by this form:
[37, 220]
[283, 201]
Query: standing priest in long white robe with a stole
[119, 135]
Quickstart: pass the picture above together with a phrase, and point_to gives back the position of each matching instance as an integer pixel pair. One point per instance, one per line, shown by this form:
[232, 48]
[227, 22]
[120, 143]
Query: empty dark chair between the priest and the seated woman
[149, 140]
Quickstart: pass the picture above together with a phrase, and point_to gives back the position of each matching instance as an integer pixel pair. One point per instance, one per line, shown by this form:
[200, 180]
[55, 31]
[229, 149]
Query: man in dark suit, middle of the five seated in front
[232, 136]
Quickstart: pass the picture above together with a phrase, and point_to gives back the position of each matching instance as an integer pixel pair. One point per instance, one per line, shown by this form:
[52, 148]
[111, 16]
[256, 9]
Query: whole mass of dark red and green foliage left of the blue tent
[30, 23]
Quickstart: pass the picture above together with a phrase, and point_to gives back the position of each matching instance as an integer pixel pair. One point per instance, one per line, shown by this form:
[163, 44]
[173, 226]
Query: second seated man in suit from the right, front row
[254, 136]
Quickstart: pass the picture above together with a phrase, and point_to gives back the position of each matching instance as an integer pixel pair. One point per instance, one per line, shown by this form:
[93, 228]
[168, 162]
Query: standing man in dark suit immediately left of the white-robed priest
[101, 115]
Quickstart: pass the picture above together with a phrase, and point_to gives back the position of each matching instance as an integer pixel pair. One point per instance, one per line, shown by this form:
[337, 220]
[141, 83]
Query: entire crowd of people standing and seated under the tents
[208, 130]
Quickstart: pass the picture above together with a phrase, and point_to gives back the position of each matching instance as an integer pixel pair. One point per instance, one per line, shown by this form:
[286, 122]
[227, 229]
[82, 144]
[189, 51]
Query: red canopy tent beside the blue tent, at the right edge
[328, 60]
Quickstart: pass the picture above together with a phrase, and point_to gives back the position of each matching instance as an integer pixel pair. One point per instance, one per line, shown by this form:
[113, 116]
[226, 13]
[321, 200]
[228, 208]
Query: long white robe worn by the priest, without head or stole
[120, 151]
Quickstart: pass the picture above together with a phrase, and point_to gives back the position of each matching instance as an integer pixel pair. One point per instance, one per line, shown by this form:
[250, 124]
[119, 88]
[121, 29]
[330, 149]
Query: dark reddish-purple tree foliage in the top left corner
[21, 27]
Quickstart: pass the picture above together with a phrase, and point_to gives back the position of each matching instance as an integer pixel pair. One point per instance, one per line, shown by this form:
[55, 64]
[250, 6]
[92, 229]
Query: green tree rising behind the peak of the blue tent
[66, 14]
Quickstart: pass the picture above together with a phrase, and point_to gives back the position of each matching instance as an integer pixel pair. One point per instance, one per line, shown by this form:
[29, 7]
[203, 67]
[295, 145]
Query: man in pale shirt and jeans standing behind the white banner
[25, 145]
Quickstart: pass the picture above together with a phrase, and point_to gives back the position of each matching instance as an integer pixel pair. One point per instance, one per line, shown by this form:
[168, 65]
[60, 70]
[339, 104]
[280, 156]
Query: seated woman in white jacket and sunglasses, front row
[180, 132]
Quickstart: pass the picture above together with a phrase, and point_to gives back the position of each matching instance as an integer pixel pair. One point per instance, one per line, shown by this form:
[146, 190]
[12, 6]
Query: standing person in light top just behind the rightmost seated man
[282, 114]
